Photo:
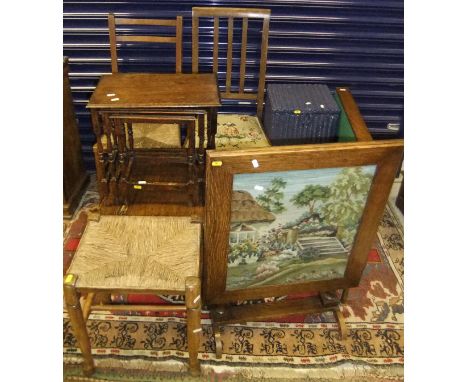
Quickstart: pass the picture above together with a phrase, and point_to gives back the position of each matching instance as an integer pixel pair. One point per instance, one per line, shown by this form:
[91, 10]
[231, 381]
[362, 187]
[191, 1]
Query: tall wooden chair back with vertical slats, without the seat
[231, 14]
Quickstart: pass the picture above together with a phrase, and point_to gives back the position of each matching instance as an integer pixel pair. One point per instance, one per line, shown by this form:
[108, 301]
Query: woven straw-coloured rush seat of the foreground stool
[137, 252]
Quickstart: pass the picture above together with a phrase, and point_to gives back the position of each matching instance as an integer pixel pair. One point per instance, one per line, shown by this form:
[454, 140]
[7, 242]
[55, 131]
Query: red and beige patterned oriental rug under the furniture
[153, 346]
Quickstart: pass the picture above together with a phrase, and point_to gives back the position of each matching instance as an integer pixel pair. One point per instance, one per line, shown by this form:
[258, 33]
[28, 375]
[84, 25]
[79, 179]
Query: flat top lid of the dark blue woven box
[312, 98]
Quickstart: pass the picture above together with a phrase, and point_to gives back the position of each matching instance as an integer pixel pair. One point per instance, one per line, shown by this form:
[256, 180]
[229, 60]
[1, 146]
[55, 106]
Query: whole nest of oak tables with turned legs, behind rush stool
[133, 94]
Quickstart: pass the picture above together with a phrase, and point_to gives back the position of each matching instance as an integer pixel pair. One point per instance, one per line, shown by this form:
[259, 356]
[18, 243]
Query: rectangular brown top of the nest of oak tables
[154, 90]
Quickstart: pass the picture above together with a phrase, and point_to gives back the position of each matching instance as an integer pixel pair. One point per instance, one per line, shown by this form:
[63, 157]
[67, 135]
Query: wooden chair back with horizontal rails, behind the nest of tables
[115, 38]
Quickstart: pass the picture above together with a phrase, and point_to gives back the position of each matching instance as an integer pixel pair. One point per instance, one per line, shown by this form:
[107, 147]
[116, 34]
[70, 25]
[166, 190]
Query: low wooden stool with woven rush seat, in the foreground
[136, 254]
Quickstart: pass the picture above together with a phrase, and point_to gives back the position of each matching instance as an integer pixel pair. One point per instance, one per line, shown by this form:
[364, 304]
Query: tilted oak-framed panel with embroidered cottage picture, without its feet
[290, 219]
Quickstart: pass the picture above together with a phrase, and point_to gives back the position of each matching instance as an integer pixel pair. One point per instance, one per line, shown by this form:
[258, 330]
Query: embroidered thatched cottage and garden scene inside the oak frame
[295, 226]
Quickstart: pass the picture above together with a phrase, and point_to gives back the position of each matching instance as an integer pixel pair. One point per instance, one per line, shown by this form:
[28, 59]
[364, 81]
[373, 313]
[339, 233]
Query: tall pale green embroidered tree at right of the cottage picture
[345, 204]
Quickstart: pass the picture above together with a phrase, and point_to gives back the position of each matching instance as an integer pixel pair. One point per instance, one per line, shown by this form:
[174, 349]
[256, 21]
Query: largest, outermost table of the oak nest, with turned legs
[145, 93]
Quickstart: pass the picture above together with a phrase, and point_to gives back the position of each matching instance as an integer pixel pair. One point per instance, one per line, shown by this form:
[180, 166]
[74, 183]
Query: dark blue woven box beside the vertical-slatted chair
[300, 113]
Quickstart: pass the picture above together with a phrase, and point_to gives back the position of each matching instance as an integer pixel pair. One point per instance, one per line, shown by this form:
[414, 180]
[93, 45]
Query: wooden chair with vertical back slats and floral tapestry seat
[233, 90]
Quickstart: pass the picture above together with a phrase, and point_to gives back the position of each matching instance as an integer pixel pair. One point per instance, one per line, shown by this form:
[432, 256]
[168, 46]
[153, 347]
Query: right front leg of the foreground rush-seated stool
[193, 303]
